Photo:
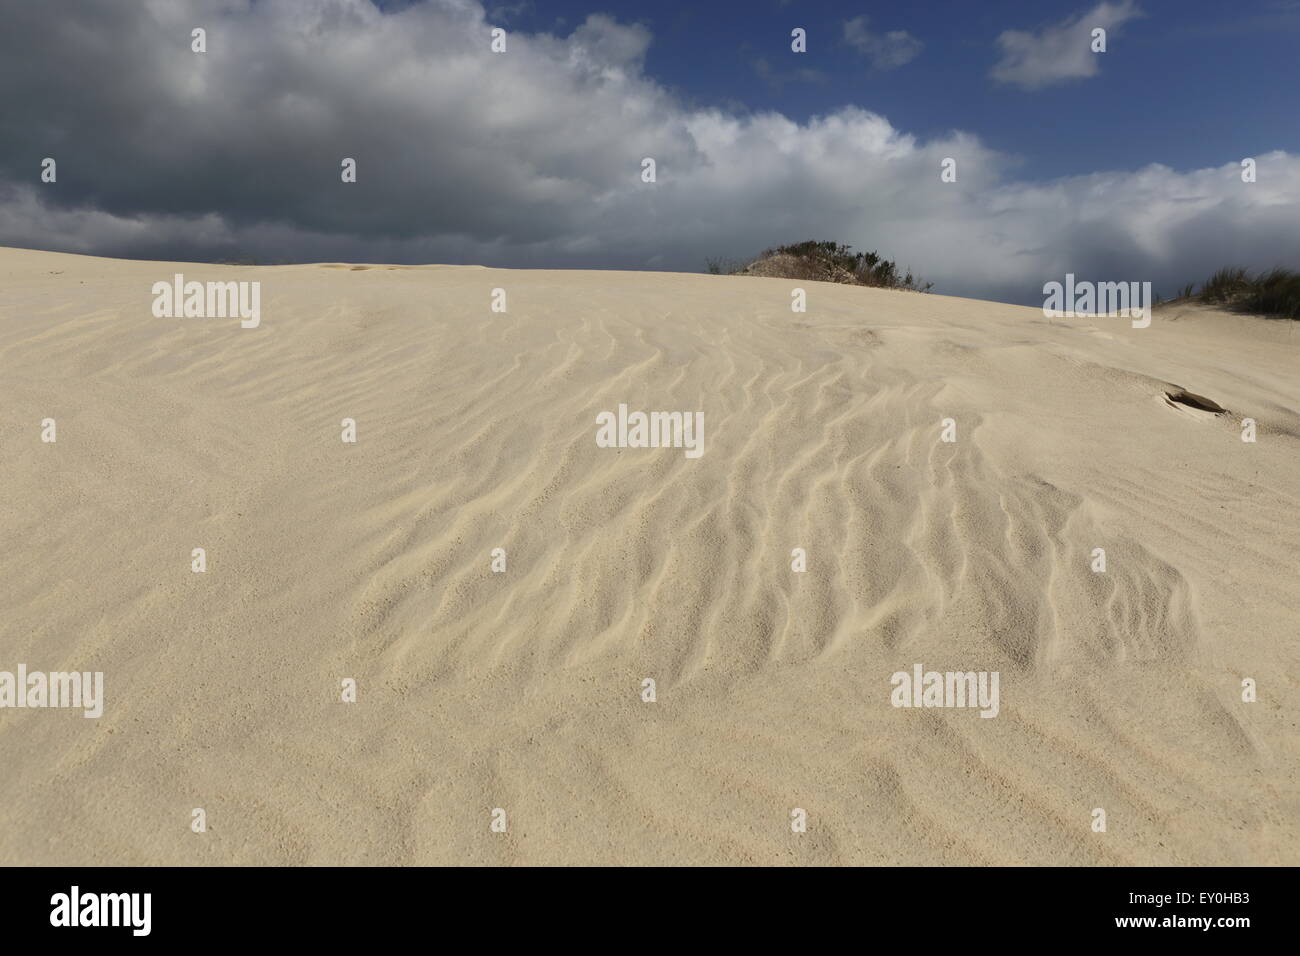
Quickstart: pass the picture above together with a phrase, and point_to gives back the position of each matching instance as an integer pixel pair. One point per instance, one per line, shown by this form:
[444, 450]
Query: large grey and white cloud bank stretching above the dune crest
[532, 158]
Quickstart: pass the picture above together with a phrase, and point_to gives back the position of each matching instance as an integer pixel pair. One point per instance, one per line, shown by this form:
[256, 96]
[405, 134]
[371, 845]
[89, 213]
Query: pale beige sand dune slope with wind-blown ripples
[522, 690]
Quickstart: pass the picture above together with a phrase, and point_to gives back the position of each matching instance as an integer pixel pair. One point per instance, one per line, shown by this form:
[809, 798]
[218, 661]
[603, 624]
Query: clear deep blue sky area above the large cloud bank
[1189, 84]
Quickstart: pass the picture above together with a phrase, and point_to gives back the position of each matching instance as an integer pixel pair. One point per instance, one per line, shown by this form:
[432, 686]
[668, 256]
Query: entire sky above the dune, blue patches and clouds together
[1116, 166]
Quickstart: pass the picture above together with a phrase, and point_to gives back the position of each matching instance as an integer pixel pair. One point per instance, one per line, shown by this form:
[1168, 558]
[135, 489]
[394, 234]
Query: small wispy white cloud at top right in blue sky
[1060, 53]
